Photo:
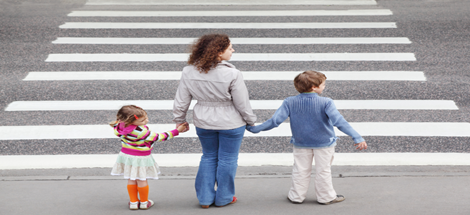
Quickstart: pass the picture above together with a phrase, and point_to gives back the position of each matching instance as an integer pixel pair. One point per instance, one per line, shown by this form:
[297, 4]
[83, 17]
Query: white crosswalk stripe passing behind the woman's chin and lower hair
[235, 57]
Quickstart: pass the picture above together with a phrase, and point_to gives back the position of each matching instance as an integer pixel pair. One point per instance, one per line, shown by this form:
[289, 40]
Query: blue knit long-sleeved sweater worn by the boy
[312, 118]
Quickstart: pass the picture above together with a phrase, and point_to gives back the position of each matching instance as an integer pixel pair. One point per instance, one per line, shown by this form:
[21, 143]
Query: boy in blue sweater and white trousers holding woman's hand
[312, 118]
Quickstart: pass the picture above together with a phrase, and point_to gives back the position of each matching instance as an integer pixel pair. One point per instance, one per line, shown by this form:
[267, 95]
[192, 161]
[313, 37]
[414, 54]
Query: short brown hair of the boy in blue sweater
[304, 81]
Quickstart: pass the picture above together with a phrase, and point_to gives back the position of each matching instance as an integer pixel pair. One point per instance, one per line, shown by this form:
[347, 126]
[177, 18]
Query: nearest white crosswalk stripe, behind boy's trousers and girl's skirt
[245, 159]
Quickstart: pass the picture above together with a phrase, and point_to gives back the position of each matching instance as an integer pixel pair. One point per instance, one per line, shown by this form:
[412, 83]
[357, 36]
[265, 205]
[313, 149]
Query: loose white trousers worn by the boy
[302, 171]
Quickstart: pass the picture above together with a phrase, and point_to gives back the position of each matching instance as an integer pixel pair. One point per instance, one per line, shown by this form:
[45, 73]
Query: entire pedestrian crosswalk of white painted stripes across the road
[97, 132]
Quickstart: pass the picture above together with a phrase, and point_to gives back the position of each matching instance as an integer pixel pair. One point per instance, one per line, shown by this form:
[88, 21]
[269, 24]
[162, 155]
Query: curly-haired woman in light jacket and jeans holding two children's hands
[222, 111]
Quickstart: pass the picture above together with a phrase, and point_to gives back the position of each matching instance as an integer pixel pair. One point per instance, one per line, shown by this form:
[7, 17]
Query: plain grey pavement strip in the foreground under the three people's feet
[364, 195]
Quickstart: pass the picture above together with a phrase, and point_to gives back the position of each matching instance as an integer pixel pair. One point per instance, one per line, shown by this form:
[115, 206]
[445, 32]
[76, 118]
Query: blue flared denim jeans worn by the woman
[218, 165]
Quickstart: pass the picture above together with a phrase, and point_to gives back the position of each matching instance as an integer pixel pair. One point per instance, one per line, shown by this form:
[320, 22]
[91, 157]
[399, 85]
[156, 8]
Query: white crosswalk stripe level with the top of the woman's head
[185, 41]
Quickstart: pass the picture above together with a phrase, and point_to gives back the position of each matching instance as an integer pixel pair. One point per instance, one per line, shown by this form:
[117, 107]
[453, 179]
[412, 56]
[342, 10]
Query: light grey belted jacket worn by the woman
[221, 94]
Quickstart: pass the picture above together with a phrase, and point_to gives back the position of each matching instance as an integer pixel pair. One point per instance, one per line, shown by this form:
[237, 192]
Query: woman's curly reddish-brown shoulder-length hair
[205, 51]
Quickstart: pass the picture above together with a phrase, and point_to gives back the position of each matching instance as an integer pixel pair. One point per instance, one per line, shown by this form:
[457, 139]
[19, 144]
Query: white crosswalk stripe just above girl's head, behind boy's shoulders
[255, 104]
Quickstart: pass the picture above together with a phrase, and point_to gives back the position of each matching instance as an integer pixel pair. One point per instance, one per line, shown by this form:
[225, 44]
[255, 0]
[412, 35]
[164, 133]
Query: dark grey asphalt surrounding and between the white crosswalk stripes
[439, 31]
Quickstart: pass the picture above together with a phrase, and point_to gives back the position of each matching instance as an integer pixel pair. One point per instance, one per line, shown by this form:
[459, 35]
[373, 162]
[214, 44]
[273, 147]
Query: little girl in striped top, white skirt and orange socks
[135, 161]
